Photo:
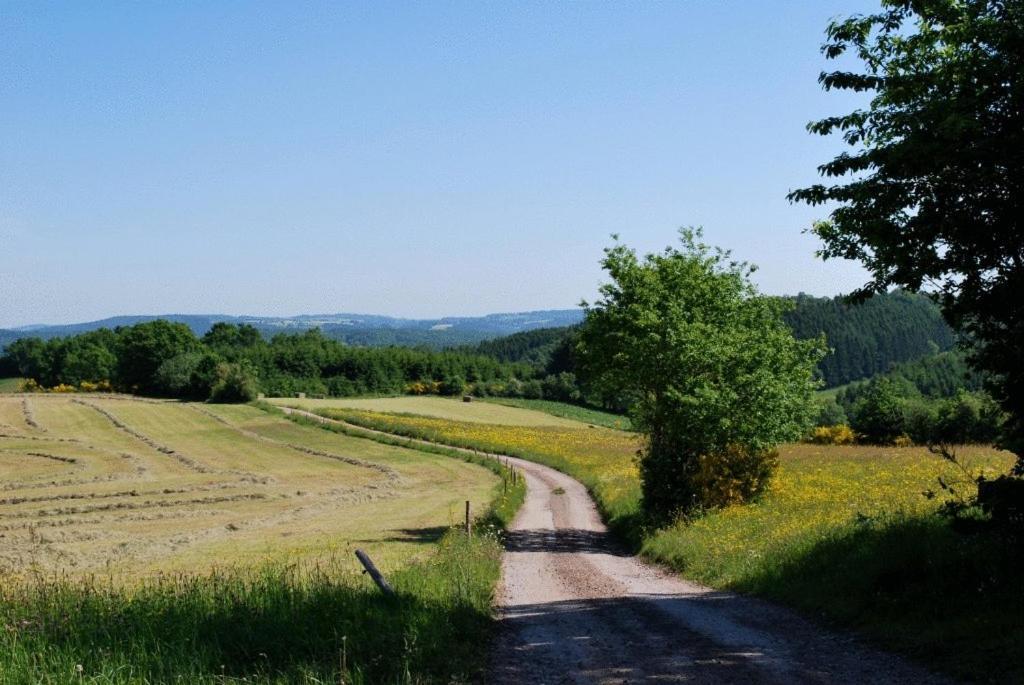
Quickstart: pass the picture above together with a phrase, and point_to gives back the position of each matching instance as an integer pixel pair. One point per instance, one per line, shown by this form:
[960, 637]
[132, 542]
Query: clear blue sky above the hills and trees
[408, 159]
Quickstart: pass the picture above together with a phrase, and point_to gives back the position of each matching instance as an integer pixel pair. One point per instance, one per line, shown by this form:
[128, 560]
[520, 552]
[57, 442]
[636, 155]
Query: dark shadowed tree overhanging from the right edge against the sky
[932, 194]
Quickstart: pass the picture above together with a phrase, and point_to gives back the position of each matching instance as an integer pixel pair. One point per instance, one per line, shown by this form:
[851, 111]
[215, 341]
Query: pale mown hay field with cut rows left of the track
[132, 487]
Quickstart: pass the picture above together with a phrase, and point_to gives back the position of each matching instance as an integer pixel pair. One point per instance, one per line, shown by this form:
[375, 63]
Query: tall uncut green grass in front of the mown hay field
[275, 624]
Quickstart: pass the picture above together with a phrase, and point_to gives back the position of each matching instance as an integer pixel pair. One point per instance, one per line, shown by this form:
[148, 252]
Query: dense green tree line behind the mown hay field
[233, 363]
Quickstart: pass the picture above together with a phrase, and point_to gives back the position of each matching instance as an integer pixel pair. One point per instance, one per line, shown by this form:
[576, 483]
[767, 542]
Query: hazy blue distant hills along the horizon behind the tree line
[362, 330]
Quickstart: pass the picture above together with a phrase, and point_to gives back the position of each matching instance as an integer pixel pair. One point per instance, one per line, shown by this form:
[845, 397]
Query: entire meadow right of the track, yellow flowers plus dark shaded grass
[844, 533]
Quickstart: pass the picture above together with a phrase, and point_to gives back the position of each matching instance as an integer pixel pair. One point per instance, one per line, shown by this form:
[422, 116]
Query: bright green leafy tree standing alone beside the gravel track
[714, 377]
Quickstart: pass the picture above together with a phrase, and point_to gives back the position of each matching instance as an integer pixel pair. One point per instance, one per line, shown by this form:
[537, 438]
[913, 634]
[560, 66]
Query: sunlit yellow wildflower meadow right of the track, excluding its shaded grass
[818, 491]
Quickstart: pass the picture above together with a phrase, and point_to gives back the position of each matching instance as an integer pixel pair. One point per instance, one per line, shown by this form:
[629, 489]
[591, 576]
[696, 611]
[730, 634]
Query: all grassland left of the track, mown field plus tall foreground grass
[148, 542]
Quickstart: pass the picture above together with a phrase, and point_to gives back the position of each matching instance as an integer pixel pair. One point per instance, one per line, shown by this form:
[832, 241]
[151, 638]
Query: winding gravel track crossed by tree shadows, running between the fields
[575, 609]
